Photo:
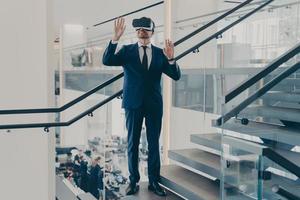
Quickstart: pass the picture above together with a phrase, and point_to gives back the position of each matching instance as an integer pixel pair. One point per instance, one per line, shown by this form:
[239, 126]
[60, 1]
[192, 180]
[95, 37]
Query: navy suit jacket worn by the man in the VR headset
[140, 85]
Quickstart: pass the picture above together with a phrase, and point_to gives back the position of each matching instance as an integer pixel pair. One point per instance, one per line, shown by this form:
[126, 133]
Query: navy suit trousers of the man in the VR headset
[134, 122]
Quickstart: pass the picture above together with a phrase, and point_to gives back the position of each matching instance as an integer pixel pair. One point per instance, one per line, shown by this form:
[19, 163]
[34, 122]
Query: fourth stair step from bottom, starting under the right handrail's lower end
[271, 132]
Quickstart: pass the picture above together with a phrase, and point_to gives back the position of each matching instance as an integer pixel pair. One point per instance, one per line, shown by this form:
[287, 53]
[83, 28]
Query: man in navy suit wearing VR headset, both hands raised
[143, 65]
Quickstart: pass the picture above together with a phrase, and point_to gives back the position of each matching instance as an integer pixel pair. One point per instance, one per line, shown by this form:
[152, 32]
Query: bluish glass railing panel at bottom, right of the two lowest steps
[240, 169]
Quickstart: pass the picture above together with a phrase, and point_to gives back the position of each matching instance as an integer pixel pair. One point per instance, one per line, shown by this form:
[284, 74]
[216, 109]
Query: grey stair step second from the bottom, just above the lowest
[197, 159]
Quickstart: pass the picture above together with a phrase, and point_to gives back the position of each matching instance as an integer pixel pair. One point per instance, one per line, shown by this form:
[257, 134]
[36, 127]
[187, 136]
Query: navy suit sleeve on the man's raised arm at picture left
[110, 58]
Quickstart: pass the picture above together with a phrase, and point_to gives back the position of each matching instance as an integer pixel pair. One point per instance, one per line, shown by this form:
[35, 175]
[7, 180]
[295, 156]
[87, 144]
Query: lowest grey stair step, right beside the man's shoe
[191, 185]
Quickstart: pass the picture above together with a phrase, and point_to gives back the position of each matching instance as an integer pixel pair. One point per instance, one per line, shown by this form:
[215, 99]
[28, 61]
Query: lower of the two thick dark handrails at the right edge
[236, 110]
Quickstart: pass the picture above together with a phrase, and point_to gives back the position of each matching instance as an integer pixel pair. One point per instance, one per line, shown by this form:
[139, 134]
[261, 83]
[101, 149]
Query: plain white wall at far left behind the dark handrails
[25, 82]
